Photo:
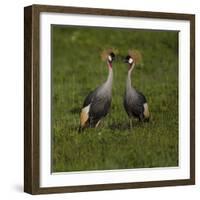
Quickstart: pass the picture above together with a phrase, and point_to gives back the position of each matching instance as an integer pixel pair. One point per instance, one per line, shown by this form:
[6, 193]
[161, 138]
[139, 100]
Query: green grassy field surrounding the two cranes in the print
[77, 68]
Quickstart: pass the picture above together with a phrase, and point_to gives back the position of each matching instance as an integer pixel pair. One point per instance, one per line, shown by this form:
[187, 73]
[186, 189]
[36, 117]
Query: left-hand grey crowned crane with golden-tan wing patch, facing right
[97, 104]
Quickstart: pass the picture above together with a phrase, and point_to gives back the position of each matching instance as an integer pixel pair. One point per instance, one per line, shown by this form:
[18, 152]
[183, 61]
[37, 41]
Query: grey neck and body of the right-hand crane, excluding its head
[135, 102]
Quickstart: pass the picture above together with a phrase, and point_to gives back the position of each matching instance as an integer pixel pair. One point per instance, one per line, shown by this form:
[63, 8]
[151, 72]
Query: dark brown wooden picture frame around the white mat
[32, 107]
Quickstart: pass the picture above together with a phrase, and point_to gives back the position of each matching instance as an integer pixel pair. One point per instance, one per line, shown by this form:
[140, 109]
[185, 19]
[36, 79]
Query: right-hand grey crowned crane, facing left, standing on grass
[135, 102]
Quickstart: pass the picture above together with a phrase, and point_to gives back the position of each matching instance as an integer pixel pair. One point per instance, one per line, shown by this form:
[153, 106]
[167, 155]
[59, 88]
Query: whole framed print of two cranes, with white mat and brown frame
[109, 99]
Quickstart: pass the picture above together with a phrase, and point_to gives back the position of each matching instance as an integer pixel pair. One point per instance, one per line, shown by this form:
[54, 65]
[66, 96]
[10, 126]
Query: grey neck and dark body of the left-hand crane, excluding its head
[97, 104]
